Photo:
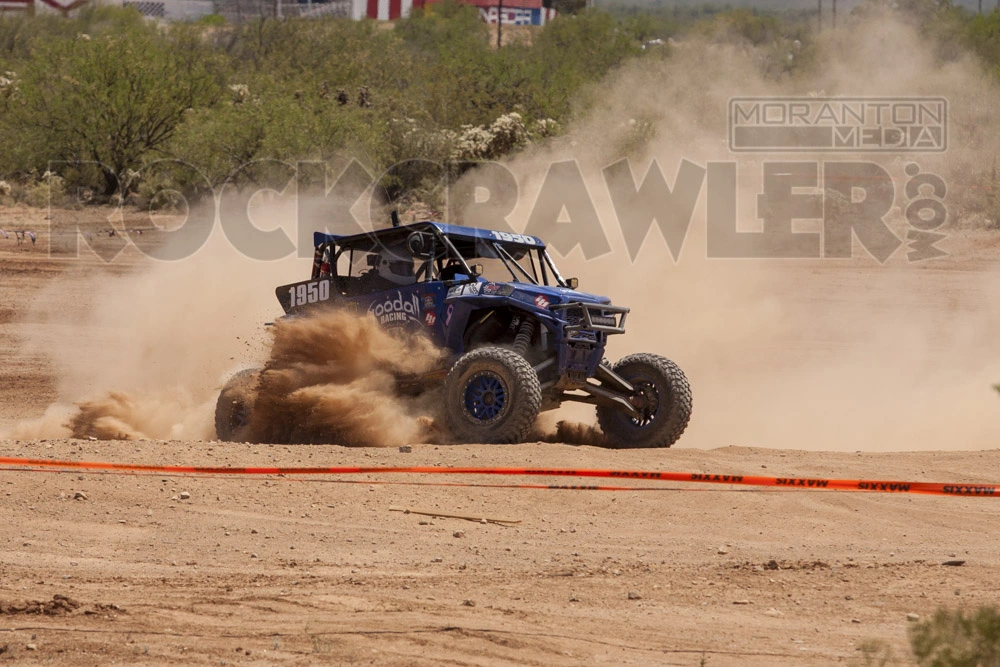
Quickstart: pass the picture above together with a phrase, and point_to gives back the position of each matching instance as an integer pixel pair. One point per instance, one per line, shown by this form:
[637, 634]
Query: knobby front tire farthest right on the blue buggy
[668, 404]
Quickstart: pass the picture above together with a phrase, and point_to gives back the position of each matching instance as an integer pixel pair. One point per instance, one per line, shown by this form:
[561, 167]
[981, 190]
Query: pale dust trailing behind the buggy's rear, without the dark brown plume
[139, 348]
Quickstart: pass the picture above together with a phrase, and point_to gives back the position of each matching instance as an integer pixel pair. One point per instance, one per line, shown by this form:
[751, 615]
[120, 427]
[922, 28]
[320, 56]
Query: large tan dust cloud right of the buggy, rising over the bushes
[817, 354]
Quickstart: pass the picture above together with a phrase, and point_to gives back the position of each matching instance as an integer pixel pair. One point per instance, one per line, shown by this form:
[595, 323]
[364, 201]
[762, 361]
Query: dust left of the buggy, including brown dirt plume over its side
[141, 349]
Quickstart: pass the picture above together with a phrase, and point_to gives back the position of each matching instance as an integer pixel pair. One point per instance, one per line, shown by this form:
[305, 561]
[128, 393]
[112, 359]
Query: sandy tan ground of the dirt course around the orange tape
[158, 569]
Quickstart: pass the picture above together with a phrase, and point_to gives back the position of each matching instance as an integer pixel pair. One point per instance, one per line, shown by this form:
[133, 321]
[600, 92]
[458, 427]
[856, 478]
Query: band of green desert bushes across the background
[108, 105]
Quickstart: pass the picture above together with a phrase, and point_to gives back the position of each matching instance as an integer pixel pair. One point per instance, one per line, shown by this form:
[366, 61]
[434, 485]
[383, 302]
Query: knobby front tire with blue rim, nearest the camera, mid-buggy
[492, 395]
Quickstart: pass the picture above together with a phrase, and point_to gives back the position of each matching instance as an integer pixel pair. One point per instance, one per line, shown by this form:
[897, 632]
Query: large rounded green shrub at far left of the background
[116, 98]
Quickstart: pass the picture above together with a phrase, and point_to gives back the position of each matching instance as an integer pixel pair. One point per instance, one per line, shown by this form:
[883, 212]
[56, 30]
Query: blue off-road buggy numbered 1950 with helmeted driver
[521, 338]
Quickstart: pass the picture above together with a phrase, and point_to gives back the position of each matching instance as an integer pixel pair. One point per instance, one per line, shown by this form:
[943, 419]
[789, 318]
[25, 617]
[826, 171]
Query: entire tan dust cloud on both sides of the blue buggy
[803, 354]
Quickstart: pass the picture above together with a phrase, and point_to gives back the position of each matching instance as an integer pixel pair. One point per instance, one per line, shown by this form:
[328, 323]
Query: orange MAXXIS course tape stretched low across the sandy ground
[881, 486]
